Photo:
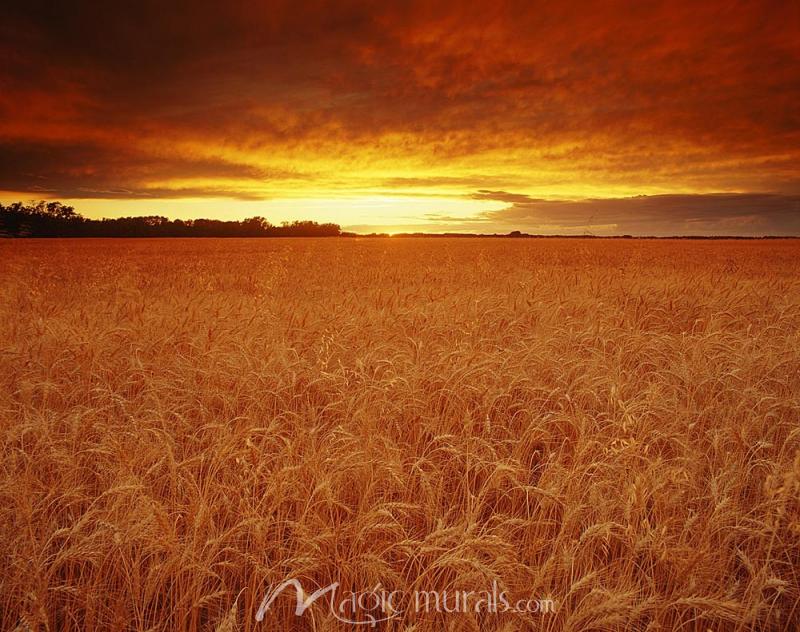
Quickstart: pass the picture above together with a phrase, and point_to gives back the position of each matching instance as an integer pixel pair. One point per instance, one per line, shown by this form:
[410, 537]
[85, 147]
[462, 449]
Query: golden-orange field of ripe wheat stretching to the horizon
[610, 425]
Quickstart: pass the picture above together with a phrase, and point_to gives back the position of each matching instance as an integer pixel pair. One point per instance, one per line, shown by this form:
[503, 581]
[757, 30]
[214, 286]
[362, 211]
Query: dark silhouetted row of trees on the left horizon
[54, 219]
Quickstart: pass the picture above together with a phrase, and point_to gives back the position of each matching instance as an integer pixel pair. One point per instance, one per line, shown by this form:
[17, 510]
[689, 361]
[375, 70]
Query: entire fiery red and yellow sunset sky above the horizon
[546, 117]
